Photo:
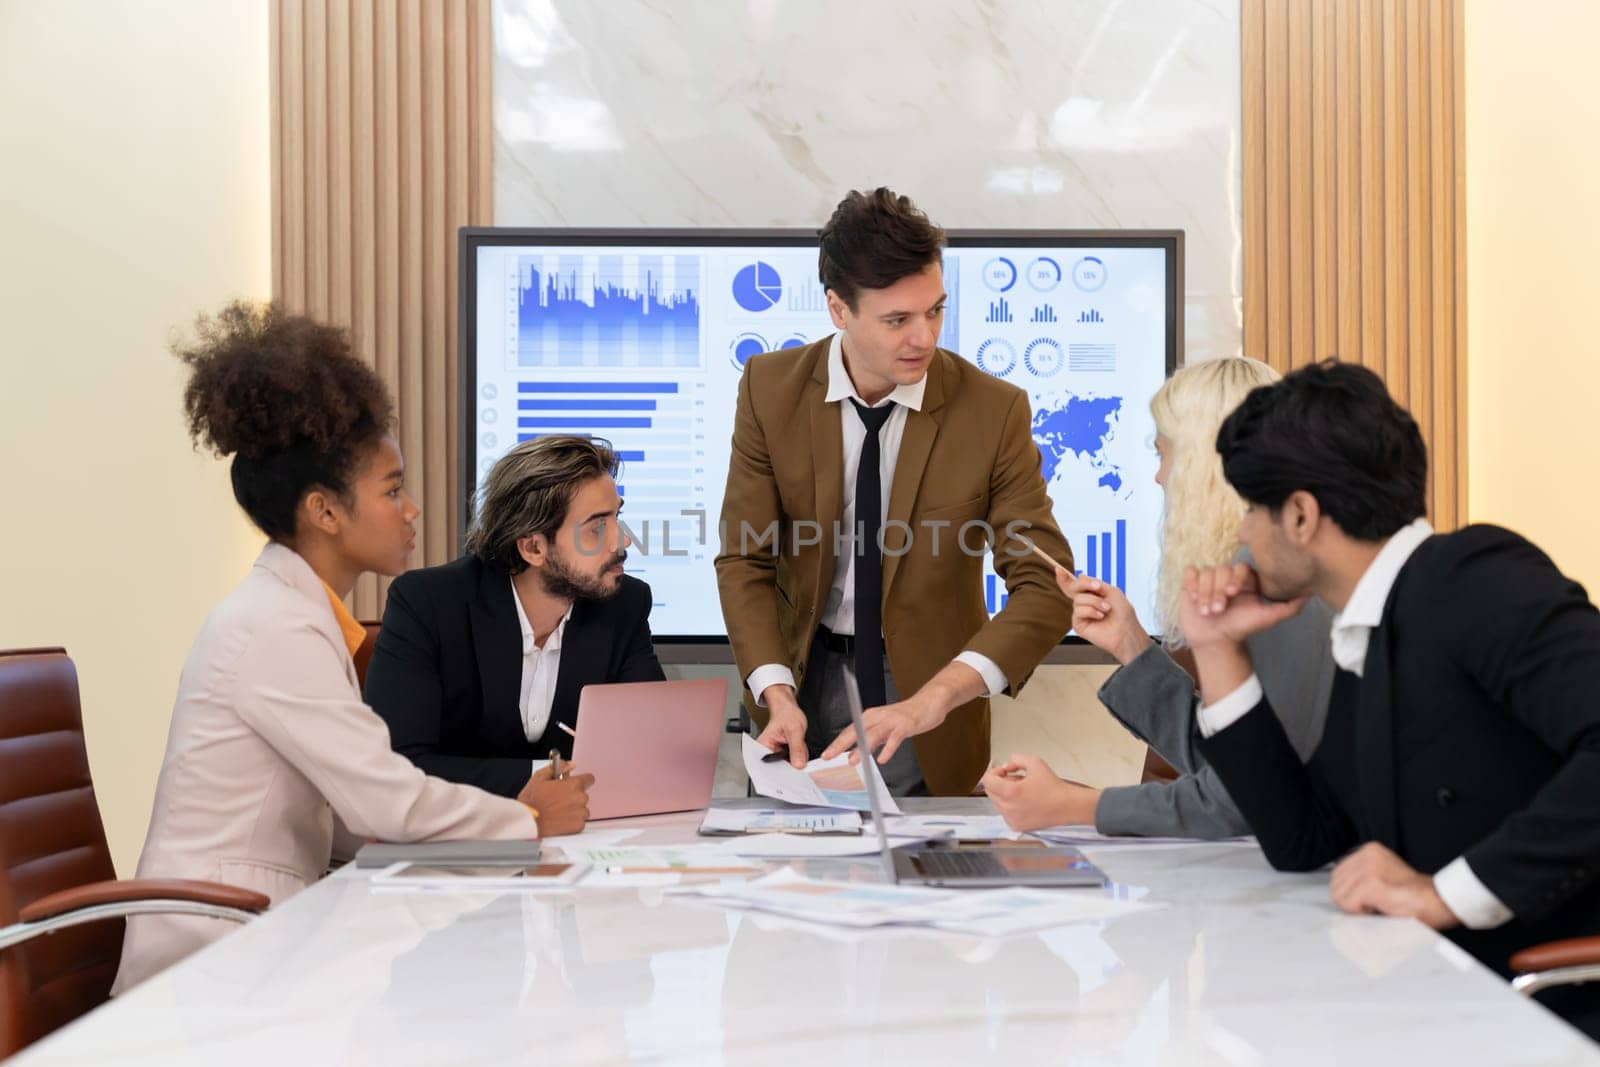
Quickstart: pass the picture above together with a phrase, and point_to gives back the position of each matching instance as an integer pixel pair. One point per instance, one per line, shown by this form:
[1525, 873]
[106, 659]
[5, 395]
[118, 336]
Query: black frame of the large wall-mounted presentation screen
[474, 238]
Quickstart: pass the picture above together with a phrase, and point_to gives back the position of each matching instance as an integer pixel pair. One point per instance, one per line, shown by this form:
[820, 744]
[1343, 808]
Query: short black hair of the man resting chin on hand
[1334, 431]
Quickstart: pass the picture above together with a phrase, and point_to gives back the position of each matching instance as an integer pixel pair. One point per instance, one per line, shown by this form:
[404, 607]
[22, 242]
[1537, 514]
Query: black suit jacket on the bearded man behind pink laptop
[447, 671]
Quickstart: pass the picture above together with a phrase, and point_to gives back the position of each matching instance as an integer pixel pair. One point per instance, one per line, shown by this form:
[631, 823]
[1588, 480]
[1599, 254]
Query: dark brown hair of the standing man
[873, 241]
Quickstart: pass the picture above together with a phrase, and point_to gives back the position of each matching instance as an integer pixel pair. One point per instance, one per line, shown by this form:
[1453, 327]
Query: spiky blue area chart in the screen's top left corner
[609, 311]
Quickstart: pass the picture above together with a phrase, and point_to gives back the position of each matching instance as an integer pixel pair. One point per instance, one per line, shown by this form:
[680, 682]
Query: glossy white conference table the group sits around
[1244, 965]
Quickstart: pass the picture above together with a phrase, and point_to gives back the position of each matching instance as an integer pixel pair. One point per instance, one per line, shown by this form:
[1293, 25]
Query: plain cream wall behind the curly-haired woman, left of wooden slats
[134, 194]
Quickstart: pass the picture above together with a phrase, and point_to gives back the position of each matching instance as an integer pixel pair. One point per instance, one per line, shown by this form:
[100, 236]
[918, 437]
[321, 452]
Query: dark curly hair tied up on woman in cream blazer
[286, 398]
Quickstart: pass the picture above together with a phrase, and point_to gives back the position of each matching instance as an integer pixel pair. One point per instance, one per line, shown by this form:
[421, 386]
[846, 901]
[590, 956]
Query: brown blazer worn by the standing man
[969, 457]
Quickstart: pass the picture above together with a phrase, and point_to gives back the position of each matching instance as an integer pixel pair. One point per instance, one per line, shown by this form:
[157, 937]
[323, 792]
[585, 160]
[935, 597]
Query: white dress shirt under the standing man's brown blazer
[839, 613]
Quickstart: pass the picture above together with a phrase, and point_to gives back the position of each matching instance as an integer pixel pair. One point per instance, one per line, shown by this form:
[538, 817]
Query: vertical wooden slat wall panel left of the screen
[383, 148]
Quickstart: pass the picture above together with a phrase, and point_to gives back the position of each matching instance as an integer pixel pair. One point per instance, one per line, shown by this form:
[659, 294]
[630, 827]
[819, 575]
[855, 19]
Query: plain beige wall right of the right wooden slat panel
[1534, 303]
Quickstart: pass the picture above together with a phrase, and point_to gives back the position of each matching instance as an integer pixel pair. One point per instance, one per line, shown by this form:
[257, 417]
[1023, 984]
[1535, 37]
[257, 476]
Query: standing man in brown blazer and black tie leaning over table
[870, 470]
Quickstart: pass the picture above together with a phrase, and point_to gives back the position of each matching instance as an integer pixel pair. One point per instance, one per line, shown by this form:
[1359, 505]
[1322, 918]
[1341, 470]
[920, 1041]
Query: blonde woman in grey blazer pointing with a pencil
[1153, 695]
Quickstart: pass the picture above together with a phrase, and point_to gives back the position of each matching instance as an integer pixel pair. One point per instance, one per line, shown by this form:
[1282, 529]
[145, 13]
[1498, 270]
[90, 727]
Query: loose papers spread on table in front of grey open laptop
[855, 905]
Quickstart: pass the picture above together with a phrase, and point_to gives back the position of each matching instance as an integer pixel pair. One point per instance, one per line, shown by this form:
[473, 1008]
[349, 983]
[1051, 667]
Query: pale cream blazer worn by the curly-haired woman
[270, 741]
